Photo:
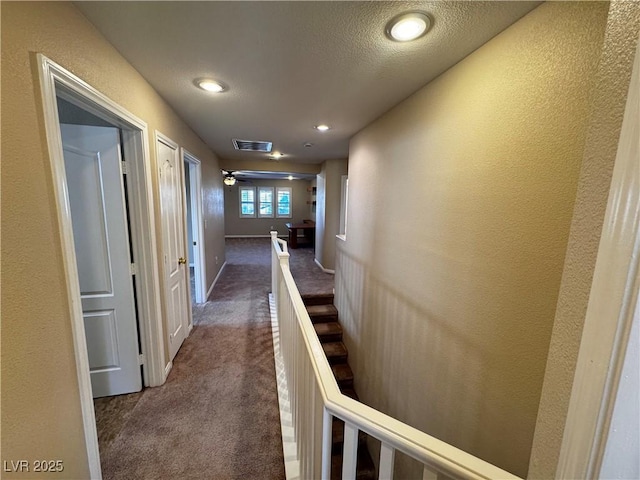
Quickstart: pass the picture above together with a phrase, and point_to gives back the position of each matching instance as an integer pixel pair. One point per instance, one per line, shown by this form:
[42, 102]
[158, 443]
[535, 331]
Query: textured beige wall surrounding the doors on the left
[41, 416]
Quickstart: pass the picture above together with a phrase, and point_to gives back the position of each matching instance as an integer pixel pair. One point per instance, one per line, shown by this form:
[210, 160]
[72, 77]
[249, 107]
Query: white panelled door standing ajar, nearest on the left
[100, 232]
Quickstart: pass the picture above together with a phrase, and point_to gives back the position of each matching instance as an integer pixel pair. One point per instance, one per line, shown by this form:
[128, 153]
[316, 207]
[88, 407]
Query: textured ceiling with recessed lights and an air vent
[291, 65]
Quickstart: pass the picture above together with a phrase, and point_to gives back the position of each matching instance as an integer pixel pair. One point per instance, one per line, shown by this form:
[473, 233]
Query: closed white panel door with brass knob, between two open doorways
[175, 263]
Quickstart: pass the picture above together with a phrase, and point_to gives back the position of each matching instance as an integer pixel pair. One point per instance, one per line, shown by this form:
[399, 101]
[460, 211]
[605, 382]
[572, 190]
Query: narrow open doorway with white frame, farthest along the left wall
[195, 227]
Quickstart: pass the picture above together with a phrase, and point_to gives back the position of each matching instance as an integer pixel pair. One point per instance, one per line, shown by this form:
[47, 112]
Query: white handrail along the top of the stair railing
[437, 456]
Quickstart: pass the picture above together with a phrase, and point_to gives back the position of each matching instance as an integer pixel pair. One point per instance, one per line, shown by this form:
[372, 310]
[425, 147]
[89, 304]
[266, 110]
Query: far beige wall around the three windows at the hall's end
[234, 225]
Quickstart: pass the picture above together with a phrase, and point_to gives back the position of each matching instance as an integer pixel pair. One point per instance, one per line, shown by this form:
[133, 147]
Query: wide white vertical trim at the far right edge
[609, 316]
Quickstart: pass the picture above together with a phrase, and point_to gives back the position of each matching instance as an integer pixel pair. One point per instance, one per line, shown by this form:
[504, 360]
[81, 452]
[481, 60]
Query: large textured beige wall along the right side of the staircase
[460, 203]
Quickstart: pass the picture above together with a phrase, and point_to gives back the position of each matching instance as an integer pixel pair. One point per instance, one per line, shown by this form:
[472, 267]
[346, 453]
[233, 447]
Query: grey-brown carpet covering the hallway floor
[217, 415]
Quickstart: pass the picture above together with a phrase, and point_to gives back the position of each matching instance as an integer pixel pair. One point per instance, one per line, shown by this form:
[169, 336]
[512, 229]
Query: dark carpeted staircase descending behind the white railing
[324, 317]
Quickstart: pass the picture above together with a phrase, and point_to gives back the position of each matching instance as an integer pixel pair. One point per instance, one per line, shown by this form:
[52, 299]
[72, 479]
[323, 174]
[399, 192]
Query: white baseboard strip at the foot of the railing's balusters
[289, 445]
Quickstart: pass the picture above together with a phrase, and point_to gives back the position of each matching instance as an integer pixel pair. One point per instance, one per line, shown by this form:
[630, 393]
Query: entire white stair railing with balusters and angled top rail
[315, 399]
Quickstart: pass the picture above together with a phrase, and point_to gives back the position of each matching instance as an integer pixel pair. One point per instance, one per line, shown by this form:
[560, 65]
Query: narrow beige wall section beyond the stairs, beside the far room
[328, 210]
